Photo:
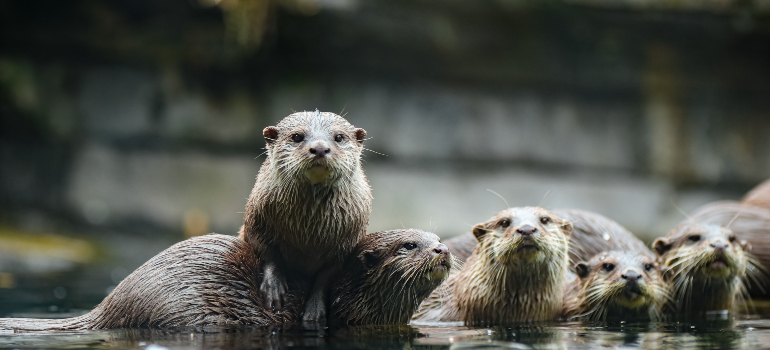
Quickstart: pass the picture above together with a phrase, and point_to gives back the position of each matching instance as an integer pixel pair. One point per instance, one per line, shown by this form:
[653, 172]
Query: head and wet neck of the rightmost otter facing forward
[705, 266]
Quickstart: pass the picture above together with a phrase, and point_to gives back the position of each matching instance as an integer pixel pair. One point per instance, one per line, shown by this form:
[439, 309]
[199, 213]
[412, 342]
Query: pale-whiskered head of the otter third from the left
[523, 235]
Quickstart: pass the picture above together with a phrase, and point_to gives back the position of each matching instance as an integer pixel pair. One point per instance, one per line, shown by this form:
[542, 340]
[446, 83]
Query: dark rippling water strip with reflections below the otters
[747, 334]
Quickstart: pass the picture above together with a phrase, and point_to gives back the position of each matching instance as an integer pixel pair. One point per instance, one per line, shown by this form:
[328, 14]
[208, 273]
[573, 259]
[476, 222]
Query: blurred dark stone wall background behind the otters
[129, 125]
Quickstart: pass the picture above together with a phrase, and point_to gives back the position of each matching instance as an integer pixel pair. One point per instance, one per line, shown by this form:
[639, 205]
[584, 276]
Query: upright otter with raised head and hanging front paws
[310, 204]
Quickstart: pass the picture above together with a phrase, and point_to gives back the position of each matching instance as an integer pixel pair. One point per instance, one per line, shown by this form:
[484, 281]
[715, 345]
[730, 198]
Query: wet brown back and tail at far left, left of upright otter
[211, 280]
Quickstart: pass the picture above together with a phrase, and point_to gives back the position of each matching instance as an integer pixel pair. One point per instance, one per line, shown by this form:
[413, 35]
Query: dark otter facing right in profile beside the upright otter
[387, 276]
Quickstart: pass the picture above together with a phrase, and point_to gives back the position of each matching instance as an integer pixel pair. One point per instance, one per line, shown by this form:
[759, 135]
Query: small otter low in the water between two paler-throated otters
[616, 285]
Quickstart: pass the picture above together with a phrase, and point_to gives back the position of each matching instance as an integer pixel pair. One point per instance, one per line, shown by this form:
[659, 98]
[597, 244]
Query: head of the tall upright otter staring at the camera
[315, 146]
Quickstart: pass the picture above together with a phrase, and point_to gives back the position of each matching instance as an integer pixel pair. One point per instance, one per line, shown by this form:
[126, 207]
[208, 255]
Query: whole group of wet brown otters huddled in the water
[303, 257]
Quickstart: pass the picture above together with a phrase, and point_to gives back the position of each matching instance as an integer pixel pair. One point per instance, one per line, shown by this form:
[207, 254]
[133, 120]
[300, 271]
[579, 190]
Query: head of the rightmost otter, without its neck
[706, 251]
